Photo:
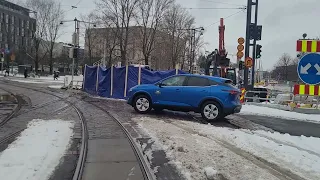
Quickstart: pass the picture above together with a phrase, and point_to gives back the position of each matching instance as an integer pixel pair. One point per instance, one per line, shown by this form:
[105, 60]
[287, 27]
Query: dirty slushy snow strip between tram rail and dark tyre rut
[193, 153]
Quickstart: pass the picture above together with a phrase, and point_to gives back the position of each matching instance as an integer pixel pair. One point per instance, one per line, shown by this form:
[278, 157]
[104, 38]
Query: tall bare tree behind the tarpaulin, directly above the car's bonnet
[150, 13]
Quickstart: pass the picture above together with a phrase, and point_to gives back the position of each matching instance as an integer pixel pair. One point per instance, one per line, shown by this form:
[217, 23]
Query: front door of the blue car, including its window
[169, 92]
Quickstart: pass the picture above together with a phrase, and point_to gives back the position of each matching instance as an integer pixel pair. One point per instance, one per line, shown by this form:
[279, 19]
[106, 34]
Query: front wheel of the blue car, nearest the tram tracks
[142, 104]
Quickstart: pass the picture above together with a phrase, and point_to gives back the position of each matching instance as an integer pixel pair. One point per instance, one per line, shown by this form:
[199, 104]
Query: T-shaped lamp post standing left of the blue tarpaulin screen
[76, 41]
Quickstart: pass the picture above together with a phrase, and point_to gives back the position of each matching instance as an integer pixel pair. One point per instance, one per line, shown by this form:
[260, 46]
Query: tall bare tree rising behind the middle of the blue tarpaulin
[120, 13]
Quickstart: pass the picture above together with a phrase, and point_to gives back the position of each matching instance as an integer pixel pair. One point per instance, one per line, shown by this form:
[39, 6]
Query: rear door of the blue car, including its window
[195, 90]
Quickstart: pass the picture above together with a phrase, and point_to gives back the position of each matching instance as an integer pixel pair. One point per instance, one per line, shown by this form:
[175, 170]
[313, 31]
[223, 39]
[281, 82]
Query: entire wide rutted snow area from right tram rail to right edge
[201, 150]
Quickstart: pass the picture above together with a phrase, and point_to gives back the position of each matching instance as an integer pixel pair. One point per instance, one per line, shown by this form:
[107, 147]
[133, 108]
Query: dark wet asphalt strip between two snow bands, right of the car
[292, 127]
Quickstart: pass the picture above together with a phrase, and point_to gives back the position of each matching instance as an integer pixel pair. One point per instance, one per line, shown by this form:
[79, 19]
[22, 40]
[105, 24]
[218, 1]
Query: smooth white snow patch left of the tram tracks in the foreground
[36, 153]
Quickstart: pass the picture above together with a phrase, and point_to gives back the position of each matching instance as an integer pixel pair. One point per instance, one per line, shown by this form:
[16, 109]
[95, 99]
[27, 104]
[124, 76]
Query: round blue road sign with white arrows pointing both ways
[309, 69]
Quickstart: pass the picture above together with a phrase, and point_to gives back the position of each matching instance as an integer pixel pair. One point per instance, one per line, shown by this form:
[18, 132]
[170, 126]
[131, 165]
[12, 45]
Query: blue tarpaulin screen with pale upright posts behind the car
[119, 78]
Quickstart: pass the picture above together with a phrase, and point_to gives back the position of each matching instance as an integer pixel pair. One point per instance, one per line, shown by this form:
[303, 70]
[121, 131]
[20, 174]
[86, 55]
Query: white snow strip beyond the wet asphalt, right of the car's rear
[265, 111]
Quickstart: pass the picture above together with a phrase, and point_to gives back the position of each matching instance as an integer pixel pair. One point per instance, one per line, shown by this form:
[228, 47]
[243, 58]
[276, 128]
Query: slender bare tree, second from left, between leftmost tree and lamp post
[54, 18]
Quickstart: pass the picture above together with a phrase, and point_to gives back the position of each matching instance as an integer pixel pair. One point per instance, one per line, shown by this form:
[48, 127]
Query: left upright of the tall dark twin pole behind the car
[247, 44]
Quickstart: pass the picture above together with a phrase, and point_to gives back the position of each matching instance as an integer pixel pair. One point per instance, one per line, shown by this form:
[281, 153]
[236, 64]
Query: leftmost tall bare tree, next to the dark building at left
[41, 13]
